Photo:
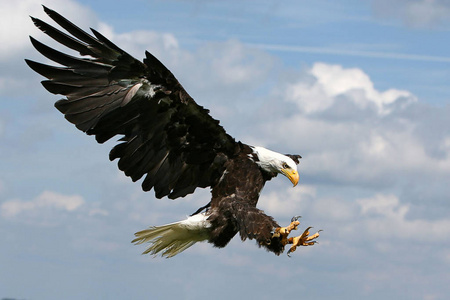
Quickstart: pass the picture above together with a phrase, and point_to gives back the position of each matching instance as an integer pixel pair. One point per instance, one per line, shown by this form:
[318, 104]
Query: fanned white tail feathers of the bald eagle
[174, 238]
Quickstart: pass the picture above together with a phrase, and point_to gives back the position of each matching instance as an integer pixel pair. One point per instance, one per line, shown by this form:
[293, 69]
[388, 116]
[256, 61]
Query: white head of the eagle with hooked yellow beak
[273, 162]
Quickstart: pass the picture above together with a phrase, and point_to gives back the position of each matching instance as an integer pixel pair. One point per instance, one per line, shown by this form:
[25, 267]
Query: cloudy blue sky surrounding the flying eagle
[358, 88]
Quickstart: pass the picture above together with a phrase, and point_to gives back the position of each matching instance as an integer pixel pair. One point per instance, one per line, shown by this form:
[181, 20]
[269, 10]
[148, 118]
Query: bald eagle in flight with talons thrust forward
[168, 139]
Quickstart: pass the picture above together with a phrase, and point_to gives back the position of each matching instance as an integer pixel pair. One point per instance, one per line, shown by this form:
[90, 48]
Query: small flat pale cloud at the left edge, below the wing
[46, 200]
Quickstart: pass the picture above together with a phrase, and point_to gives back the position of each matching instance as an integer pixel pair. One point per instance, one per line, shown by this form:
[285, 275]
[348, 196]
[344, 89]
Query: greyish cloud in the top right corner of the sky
[417, 13]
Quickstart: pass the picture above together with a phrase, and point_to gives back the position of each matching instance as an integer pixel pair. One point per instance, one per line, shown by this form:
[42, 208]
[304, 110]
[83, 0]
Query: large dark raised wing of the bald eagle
[167, 137]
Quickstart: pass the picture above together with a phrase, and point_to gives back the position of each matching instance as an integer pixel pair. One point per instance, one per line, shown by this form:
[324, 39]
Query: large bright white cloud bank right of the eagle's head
[348, 131]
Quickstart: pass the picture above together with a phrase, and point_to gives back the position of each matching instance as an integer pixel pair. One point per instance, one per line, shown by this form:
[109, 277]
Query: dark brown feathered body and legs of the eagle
[236, 195]
